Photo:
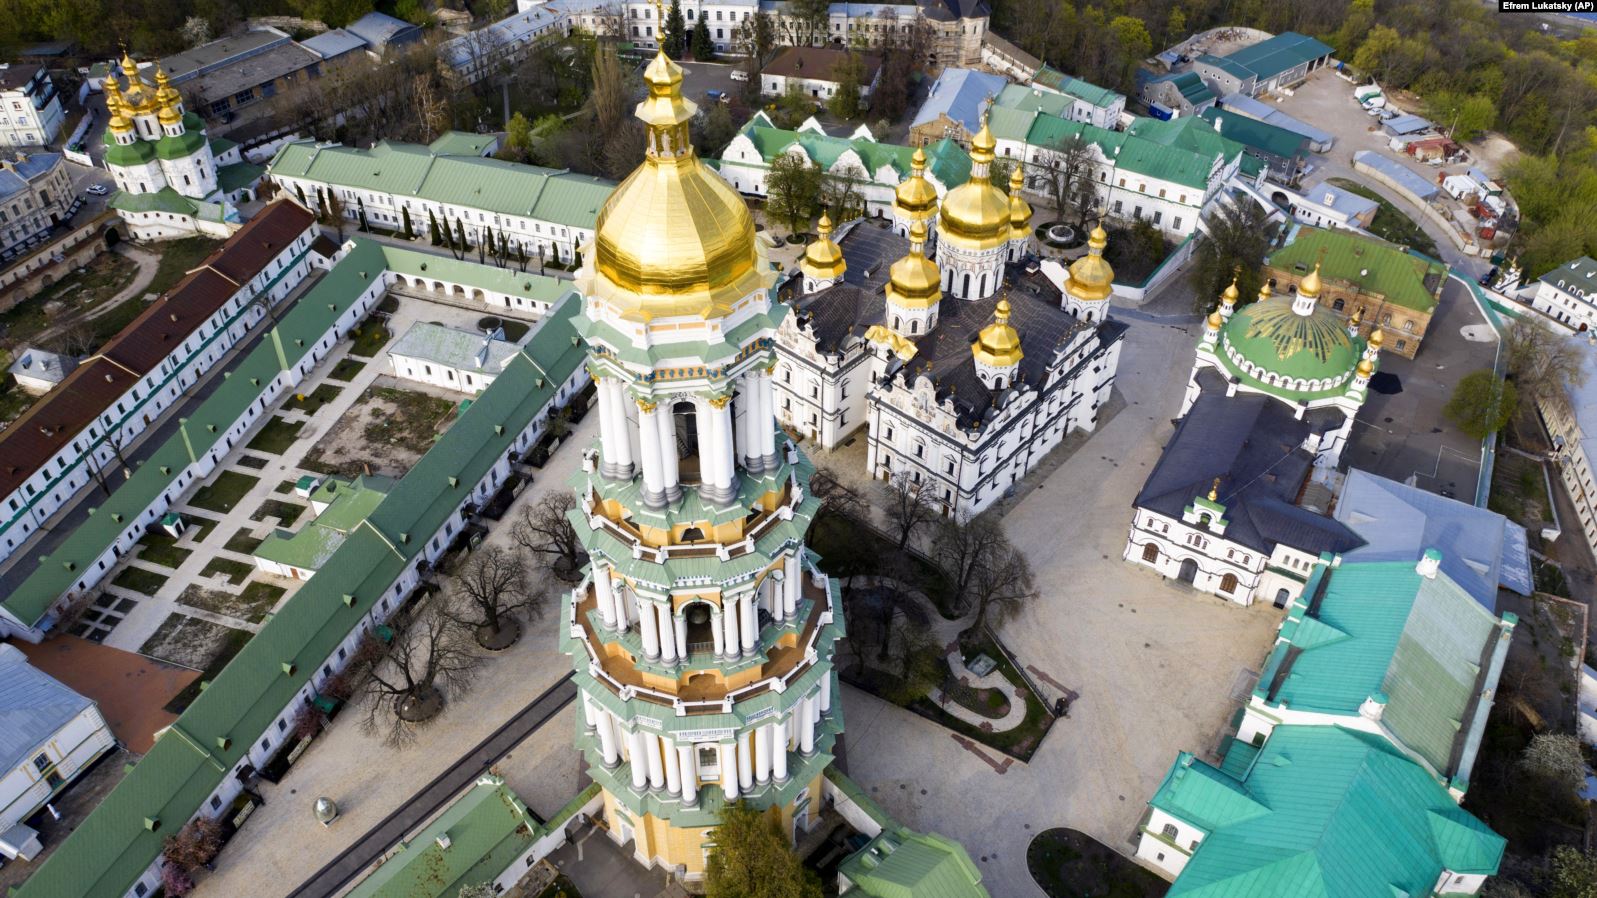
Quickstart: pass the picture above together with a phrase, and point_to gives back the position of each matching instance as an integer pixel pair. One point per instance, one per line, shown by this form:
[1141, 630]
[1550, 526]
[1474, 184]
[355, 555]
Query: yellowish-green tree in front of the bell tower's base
[753, 859]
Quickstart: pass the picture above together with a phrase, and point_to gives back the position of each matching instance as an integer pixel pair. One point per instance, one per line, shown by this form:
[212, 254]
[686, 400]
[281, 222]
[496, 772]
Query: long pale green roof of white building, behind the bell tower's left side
[413, 170]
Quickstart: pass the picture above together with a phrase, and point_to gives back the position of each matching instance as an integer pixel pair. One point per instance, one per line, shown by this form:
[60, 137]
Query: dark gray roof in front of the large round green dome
[1256, 447]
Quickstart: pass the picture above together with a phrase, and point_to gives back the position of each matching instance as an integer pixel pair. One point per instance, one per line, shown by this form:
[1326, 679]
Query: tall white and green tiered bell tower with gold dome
[703, 632]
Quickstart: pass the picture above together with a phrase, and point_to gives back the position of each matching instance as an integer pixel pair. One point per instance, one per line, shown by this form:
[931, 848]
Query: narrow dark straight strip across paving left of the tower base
[432, 798]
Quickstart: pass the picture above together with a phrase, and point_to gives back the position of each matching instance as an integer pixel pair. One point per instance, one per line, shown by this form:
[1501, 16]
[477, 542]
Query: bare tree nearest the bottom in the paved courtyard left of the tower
[427, 662]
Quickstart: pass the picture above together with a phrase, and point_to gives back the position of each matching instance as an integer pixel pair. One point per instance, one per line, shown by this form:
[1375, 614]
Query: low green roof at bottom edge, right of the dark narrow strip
[488, 828]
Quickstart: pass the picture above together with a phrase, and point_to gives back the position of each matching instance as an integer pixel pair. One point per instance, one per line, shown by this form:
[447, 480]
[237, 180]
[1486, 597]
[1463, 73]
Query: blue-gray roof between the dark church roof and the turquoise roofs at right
[1481, 550]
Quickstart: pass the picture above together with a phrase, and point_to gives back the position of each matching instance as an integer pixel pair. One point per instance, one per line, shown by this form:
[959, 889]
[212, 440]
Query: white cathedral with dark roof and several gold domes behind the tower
[938, 332]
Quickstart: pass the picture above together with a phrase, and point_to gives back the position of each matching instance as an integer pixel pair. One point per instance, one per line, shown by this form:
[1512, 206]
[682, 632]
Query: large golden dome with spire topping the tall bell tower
[675, 239]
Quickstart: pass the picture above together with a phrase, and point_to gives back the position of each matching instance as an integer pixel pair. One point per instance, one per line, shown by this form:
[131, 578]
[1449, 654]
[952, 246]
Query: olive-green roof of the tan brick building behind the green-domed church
[1369, 263]
